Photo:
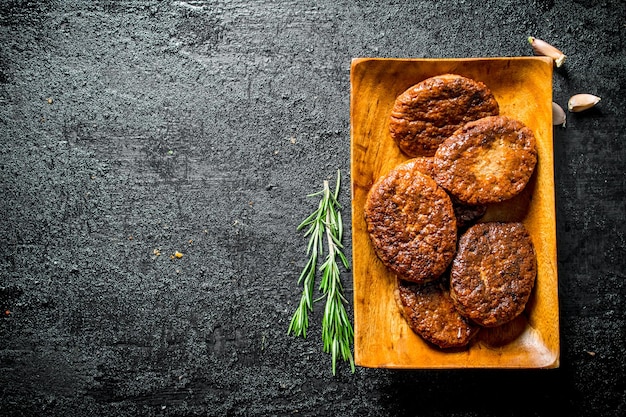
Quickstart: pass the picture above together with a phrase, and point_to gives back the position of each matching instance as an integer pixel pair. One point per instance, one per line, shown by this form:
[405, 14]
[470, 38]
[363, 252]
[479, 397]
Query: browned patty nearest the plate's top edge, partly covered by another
[427, 113]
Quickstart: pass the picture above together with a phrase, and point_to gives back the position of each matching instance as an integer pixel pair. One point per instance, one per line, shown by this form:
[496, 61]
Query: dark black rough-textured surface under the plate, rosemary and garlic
[199, 127]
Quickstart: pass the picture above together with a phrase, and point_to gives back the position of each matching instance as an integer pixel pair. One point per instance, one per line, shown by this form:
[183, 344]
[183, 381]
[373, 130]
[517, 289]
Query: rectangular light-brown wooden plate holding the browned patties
[523, 88]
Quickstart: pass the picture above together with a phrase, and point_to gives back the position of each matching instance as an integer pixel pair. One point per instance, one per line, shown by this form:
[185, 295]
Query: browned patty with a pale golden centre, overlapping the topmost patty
[487, 160]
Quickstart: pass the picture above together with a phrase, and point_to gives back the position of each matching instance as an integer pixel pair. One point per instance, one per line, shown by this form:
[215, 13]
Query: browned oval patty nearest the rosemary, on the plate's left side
[411, 224]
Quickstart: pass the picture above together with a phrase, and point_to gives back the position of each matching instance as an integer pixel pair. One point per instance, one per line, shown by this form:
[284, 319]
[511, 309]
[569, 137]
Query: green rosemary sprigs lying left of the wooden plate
[337, 331]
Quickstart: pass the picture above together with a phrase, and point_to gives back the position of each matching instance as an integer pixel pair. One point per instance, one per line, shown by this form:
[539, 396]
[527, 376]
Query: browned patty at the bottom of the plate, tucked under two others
[430, 312]
